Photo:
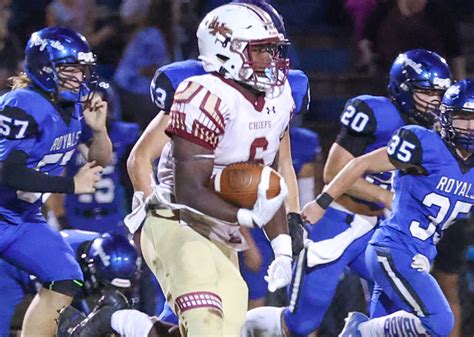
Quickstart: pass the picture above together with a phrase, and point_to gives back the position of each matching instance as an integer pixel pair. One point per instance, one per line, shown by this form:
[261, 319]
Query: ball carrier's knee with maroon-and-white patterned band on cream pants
[200, 314]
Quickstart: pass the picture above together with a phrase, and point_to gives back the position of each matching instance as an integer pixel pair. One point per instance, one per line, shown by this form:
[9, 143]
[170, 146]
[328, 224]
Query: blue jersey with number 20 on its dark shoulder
[367, 124]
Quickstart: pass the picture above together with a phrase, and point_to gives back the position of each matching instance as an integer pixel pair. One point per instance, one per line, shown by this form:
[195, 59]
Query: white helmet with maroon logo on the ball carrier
[228, 33]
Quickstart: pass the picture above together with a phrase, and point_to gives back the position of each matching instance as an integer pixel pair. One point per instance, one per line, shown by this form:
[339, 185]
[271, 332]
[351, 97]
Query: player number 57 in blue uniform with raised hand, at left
[42, 122]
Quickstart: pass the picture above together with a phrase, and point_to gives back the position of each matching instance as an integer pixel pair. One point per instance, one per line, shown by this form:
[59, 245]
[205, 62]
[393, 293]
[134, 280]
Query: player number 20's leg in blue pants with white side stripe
[312, 289]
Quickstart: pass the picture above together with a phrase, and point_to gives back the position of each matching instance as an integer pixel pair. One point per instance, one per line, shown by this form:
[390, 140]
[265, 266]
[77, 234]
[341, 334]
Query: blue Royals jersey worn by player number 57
[29, 122]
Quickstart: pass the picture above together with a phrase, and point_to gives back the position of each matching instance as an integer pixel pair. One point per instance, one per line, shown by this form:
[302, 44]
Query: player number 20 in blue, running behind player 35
[417, 81]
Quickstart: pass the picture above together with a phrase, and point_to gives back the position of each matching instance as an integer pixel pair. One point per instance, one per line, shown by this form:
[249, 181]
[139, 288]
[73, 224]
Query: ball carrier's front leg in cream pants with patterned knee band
[183, 262]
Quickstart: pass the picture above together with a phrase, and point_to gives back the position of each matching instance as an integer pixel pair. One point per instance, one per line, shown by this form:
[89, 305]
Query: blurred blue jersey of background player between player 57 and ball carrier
[103, 210]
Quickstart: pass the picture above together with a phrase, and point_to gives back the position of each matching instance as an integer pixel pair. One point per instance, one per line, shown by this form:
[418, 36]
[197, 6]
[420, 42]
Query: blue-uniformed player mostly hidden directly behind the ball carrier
[163, 86]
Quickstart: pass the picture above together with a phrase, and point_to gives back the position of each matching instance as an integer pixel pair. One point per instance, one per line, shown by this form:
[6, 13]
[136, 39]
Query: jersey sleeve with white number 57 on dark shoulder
[19, 130]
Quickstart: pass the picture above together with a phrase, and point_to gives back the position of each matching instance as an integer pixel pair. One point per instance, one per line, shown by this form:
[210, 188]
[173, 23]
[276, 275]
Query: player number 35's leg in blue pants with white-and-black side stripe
[421, 303]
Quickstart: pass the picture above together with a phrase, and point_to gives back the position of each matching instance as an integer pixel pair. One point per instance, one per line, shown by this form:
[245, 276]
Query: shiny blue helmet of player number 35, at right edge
[458, 104]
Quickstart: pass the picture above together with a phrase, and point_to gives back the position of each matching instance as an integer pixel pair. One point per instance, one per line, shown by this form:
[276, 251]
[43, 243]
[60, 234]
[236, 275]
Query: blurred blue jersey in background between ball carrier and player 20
[305, 146]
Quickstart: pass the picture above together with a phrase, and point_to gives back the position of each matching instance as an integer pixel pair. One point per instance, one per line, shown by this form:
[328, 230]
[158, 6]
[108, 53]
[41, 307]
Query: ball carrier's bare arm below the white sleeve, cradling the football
[193, 170]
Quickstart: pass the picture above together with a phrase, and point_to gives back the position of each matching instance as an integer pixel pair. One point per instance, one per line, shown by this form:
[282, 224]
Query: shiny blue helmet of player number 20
[418, 71]
